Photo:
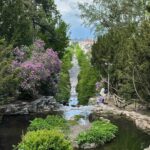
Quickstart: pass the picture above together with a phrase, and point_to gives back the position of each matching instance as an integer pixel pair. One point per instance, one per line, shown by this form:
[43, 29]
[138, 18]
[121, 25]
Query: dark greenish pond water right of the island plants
[128, 138]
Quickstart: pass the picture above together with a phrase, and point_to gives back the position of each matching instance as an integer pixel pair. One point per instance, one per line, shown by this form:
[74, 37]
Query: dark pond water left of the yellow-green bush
[11, 129]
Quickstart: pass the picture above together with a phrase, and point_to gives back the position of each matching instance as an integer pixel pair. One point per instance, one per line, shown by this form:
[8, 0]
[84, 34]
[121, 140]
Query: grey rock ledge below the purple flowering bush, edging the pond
[41, 105]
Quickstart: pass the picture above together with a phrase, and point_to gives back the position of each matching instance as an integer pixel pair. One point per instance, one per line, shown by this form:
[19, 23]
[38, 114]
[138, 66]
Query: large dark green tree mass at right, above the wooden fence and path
[127, 50]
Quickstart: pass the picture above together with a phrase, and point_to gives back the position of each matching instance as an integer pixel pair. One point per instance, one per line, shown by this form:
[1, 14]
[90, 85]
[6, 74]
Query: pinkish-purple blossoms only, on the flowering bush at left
[42, 66]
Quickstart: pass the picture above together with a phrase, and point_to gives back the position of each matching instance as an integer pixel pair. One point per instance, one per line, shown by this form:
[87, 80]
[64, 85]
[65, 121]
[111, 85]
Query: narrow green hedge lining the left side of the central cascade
[63, 93]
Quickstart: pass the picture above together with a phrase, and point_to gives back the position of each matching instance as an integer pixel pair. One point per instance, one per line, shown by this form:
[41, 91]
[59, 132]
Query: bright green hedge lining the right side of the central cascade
[87, 78]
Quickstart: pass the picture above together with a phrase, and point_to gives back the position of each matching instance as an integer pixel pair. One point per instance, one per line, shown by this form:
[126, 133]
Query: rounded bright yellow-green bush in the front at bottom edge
[44, 140]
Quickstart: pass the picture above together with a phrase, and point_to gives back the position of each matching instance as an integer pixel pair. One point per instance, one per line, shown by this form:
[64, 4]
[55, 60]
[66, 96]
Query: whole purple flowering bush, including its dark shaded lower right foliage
[40, 72]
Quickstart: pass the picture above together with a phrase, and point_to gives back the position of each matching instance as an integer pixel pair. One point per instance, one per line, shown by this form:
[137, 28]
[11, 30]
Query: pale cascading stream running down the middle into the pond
[73, 109]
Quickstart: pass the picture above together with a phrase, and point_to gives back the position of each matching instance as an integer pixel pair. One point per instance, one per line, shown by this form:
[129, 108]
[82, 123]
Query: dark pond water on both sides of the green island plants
[128, 138]
